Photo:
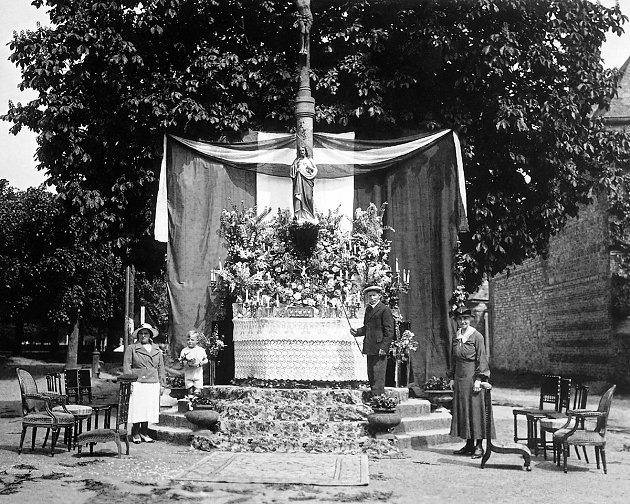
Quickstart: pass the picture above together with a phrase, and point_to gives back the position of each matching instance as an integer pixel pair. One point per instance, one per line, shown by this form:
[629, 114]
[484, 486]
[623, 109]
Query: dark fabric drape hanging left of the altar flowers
[198, 189]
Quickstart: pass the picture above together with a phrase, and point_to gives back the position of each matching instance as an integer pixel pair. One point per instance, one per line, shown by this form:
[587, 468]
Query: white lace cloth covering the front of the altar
[316, 349]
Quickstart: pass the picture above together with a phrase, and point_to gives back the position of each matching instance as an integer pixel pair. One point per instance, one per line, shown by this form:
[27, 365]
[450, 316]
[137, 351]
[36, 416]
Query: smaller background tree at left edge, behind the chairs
[48, 274]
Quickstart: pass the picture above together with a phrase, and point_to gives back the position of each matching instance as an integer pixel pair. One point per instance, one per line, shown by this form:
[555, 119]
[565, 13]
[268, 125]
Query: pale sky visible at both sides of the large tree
[17, 152]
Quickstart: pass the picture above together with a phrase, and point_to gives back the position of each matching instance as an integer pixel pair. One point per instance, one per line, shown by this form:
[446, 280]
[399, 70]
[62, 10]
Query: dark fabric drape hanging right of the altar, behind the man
[425, 210]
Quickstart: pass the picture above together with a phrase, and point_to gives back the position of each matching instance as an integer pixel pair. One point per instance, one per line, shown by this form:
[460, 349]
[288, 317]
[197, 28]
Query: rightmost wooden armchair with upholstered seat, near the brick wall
[577, 432]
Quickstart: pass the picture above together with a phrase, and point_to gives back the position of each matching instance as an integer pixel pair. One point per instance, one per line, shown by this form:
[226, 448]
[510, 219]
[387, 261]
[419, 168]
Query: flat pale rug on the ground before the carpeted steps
[322, 469]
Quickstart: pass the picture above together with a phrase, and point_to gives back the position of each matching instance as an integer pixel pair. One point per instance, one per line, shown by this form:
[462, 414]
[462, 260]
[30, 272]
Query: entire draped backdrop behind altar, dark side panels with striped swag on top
[421, 179]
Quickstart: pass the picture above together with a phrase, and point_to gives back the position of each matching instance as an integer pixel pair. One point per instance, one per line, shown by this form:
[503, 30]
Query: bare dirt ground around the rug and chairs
[429, 475]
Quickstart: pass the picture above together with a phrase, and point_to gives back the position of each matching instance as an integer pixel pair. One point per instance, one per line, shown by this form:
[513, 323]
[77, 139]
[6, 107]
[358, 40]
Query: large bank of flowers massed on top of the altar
[279, 261]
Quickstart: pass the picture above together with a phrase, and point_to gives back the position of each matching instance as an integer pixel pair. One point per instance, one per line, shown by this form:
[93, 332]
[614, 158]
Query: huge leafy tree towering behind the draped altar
[518, 79]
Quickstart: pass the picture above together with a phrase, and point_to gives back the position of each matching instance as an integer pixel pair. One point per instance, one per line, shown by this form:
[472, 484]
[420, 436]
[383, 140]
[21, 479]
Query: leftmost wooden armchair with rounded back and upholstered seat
[37, 411]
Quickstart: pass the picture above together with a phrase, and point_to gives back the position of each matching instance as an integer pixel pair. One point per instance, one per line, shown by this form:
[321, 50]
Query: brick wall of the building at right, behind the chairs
[553, 315]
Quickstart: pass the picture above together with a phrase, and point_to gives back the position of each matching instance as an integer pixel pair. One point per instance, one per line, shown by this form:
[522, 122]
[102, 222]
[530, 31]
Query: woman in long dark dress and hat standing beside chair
[469, 367]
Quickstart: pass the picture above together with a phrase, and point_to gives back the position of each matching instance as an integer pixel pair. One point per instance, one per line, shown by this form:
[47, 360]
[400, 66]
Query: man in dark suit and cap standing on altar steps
[378, 329]
